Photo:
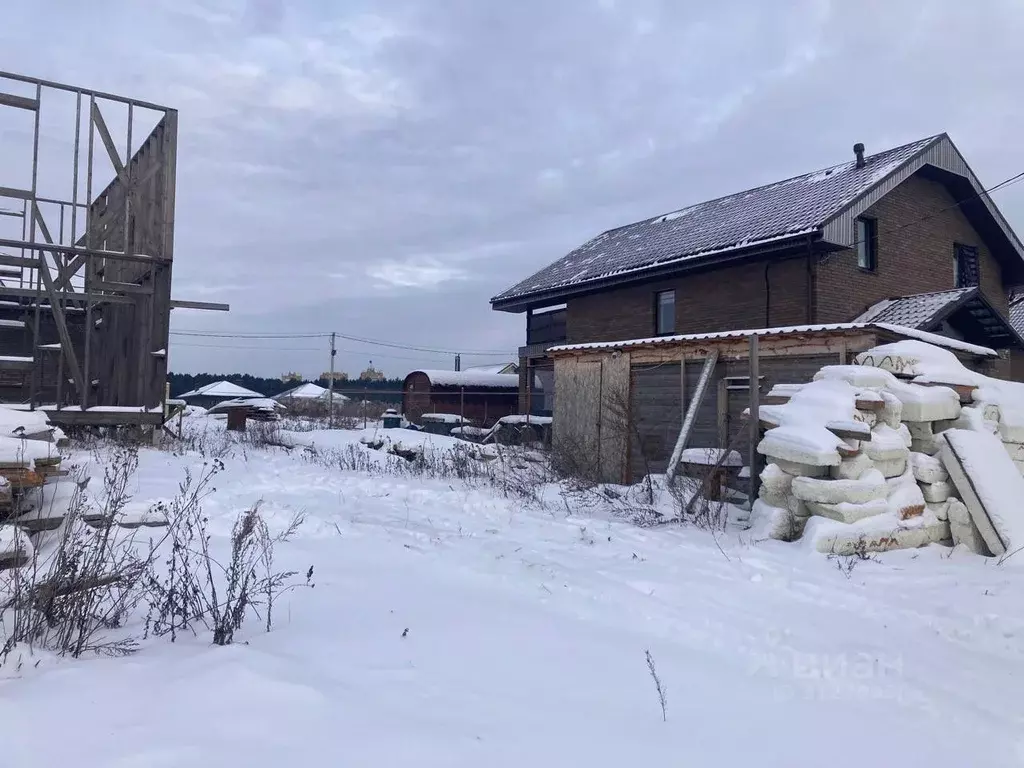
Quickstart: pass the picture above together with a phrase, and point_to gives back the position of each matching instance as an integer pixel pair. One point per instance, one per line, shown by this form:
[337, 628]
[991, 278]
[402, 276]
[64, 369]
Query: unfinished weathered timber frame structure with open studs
[86, 285]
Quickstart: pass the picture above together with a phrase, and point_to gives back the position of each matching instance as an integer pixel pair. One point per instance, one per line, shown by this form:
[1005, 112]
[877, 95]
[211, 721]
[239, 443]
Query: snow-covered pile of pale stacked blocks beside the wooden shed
[886, 455]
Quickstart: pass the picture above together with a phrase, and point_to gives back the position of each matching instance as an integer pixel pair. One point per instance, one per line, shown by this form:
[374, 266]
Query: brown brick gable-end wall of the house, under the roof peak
[916, 260]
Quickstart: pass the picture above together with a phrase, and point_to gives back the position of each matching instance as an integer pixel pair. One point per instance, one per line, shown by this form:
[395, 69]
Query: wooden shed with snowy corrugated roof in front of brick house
[620, 406]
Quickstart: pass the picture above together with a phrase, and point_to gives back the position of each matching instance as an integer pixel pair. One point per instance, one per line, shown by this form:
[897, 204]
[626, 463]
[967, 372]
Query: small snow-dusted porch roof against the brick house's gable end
[963, 311]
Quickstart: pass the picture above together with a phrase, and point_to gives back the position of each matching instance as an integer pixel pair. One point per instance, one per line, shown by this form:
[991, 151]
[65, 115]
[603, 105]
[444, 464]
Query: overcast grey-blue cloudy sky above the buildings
[382, 169]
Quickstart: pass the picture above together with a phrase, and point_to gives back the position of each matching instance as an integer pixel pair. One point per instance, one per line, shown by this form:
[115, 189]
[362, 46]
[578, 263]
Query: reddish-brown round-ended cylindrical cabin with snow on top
[480, 398]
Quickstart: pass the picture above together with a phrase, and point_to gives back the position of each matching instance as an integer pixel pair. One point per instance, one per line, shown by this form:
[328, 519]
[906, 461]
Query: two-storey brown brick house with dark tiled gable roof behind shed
[834, 246]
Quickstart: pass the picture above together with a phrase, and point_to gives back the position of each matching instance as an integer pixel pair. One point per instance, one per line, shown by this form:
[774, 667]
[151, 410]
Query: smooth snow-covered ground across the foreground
[451, 626]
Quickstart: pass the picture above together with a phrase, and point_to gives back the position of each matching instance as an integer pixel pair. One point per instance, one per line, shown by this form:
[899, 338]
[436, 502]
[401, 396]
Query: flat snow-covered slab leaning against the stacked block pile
[990, 485]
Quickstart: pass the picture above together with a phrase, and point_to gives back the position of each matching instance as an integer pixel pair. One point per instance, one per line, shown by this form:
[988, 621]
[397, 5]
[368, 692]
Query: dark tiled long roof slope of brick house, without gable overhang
[774, 215]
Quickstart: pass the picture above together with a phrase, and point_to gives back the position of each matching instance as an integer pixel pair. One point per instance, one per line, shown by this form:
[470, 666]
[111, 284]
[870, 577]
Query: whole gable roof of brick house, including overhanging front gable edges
[821, 205]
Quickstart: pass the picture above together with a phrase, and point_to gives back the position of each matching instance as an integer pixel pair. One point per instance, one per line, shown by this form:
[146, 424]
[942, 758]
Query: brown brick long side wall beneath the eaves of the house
[731, 298]
